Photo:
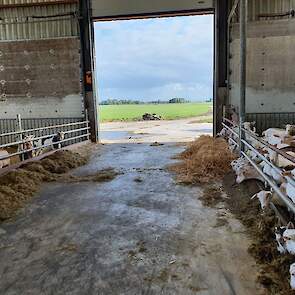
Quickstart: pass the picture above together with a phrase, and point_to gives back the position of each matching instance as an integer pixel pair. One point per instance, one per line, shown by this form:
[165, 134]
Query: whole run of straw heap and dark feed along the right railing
[274, 275]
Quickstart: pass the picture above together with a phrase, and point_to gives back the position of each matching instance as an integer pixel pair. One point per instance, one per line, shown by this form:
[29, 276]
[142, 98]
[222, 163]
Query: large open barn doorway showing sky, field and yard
[154, 78]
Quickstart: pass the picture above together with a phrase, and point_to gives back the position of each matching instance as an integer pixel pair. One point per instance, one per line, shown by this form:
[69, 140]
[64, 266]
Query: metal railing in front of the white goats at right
[288, 202]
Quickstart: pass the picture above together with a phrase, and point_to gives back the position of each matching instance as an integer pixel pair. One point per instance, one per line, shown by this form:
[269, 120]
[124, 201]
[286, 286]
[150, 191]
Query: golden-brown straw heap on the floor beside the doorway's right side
[204, 160]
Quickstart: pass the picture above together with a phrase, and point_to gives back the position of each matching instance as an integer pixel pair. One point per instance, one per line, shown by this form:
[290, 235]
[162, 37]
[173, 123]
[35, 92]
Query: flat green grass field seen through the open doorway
[167, 111]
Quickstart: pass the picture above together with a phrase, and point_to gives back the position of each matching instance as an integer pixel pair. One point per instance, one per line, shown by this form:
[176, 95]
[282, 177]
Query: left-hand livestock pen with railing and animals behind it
[21, 143]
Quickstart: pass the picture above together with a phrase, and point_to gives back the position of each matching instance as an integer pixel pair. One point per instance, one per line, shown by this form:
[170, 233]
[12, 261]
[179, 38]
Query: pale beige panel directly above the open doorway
[125, 8]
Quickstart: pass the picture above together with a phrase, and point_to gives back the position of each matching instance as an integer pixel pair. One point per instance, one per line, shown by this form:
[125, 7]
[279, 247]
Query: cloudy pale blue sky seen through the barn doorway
[155, 59]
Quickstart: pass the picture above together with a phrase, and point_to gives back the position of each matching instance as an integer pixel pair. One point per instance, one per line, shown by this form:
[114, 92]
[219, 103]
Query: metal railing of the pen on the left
[80, 132]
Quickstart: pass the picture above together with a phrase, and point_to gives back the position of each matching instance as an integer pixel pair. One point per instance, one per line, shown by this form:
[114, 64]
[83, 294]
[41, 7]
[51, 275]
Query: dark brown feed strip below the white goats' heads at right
[274, 274]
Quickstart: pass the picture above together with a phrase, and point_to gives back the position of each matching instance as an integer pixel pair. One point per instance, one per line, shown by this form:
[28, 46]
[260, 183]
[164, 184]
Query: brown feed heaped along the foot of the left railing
[17, 187]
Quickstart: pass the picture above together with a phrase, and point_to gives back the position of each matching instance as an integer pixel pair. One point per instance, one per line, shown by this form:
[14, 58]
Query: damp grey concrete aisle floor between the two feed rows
[125, 237]
